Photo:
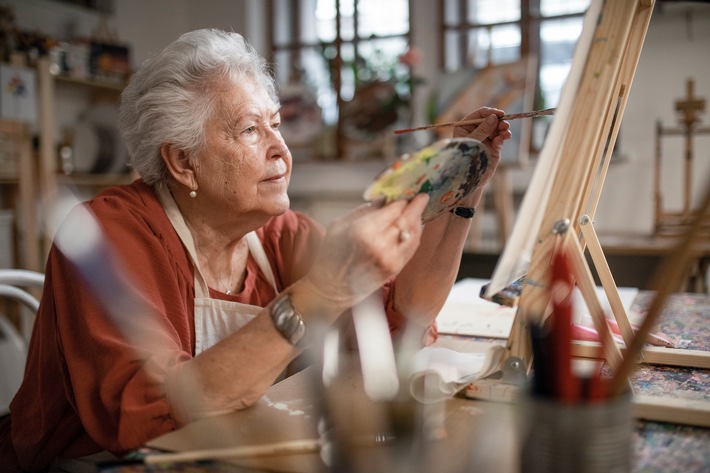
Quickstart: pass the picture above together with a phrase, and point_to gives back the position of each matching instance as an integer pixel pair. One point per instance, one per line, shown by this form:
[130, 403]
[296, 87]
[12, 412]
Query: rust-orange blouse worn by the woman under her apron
[86, 387]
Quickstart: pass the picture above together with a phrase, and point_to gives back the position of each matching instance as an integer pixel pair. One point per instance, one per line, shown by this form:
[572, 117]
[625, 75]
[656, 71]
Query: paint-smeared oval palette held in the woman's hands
[448, 170]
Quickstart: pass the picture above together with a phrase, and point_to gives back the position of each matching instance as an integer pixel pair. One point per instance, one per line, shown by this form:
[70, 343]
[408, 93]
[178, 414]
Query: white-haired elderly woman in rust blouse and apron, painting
[233, 277]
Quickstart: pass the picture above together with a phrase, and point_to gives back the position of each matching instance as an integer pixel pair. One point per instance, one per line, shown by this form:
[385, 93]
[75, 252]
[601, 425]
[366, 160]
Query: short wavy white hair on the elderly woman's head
[171, 96]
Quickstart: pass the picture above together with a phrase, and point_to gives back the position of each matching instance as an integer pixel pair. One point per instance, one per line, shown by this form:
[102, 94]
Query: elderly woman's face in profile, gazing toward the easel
[246, 166]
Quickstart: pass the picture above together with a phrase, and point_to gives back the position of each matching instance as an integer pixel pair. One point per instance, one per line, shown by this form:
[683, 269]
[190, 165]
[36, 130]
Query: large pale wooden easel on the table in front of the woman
[590, 125]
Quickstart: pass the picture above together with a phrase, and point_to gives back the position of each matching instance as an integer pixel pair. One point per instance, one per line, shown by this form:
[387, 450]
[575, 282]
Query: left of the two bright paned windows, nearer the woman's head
[337, 46]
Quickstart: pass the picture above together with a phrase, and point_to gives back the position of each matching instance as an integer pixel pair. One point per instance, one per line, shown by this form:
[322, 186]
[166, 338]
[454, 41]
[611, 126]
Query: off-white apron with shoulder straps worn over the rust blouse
[214, 319]
